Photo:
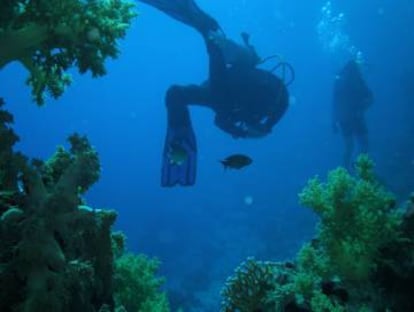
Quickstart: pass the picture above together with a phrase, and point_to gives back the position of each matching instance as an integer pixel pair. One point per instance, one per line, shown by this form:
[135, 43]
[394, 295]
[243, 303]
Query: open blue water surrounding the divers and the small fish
[203, 232]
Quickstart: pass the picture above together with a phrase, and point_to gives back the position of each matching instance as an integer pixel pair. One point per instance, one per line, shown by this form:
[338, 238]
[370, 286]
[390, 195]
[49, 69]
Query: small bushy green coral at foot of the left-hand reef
[137, 289]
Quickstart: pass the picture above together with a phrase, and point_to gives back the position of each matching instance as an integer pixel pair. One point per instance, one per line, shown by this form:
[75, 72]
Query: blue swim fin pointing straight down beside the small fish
[179, 163]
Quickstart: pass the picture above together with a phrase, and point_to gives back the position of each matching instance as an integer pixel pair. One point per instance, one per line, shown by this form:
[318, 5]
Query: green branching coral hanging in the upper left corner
[49, 37]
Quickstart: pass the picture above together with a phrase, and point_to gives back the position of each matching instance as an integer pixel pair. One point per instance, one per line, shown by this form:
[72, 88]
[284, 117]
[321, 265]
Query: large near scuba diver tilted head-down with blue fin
[247, 101]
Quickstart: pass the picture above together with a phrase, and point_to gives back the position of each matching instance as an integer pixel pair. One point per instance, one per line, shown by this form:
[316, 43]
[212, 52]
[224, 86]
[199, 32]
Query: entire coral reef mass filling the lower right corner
[360, 260]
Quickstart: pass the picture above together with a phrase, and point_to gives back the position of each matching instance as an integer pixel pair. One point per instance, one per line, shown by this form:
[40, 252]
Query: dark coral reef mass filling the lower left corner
[56, 253]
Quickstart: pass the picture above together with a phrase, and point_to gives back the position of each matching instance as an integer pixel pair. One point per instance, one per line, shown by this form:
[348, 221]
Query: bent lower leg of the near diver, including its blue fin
[180, 148]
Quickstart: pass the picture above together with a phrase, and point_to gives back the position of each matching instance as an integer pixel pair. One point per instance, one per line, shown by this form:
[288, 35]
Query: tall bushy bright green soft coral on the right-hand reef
[357, 219]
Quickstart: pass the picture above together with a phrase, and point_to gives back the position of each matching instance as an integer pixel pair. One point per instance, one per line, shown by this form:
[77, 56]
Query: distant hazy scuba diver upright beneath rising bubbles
[351, 98]
